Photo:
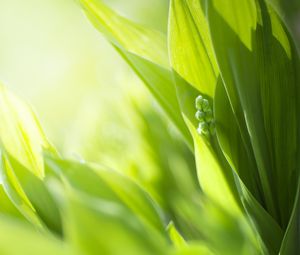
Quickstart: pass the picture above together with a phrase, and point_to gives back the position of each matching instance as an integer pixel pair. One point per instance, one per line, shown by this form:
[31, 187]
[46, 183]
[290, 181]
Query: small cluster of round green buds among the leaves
[205, 117]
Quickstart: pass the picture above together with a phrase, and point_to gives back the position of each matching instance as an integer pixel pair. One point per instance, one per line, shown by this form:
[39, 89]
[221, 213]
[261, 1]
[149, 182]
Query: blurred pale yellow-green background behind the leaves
[90, 103]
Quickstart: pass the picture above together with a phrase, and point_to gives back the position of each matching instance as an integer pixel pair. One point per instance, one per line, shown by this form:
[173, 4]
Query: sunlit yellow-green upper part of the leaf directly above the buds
[191, 52]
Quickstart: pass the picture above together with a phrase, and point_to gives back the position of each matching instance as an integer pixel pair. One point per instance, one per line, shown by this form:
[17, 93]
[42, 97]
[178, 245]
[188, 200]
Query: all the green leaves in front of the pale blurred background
[233, 64]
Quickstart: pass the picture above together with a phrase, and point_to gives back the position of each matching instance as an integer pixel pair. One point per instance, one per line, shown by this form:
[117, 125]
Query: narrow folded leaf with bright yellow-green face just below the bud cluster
[218, 181]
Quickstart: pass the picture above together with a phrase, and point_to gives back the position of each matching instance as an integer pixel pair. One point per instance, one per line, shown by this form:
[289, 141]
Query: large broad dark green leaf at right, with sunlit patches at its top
[257, 64]
